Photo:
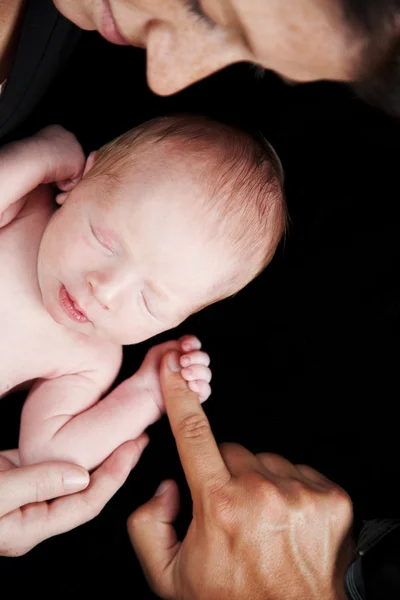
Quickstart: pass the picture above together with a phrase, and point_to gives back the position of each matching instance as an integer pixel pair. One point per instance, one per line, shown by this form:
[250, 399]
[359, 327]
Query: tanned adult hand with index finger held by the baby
[262, 528]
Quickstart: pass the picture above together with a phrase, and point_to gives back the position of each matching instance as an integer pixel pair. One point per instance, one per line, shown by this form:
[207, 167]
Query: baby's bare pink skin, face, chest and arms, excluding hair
[134, 258]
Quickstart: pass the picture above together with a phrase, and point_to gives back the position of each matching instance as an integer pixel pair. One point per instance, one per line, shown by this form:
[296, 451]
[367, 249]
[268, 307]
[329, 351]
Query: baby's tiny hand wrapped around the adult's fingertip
[194, 362]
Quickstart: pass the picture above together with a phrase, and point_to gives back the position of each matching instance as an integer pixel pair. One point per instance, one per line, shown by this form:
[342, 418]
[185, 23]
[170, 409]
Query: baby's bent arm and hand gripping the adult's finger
[62, 418]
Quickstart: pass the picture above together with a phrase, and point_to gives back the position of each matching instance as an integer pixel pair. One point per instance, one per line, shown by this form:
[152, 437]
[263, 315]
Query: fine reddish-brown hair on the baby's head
[240, 171]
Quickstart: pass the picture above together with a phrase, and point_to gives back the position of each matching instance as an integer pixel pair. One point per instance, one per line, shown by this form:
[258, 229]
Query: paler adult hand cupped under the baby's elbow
[26, 518]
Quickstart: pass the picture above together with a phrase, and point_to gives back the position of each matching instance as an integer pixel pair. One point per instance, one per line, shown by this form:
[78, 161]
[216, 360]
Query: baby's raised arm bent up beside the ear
[51, 155]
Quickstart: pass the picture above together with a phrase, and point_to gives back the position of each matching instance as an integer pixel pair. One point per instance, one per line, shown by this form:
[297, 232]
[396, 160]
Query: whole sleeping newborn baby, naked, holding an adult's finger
[170, 217]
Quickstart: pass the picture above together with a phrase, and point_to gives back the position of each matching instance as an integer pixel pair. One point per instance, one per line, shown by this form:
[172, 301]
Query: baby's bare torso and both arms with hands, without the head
[72, 369]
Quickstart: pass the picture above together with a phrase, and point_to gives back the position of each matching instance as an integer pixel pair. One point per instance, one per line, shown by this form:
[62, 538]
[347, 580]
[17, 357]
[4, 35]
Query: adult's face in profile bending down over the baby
[186, 40]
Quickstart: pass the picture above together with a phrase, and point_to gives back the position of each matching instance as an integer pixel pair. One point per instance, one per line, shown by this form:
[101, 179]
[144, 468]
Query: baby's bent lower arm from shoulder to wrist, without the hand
[64, 419]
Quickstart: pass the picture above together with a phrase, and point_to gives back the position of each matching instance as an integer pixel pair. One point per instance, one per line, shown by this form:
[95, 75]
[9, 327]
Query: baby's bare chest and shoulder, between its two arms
[33, 345]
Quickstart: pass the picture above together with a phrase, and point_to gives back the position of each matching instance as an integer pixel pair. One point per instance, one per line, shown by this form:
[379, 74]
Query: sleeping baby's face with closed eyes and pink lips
[129, 263]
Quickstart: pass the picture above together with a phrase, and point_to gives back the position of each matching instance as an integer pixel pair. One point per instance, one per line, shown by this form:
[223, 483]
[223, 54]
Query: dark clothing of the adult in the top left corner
[46, 42]
